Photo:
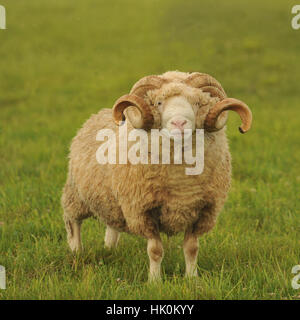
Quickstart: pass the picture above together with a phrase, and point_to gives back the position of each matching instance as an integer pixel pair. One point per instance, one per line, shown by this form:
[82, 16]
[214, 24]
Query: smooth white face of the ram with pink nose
[177, 114]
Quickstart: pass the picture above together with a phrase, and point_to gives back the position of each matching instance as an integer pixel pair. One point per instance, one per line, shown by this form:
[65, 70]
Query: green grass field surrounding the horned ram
[62, 60]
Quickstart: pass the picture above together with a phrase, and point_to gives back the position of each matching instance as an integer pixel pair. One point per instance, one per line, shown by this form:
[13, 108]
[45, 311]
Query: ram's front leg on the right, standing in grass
[190, 249]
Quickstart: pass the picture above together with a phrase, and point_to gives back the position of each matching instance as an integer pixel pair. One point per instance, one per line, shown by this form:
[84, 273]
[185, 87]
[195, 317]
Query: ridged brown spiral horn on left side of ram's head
[134, 107]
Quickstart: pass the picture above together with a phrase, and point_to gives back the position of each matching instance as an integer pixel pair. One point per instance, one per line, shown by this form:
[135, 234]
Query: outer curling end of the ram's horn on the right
[214, 120]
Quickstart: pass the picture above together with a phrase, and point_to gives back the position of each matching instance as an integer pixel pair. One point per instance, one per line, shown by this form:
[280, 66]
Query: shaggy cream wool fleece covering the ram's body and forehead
[148, 199]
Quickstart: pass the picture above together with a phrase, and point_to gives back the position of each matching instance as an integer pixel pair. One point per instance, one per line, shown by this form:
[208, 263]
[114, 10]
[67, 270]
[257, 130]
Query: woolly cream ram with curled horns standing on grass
[149, 199]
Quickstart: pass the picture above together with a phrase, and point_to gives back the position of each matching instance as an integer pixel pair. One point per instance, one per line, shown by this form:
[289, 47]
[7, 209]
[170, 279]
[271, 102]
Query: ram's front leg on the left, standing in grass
[155, 252]
